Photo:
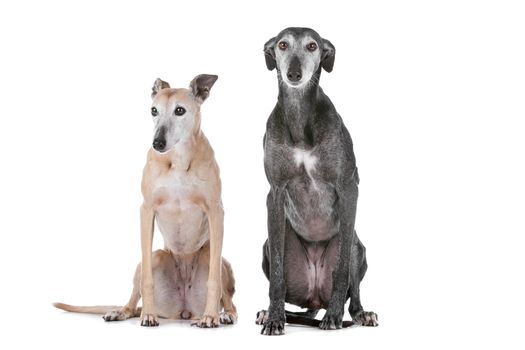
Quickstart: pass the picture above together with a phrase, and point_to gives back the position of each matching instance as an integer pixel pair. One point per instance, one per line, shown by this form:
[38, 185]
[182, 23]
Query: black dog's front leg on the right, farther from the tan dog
[347, 203]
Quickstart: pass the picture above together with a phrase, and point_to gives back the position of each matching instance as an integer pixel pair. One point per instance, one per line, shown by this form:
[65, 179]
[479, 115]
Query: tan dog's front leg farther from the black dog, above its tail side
[148, 317]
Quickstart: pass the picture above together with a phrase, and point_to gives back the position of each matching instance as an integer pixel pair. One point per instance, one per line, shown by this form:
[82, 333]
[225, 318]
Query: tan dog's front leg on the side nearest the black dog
[211, 312]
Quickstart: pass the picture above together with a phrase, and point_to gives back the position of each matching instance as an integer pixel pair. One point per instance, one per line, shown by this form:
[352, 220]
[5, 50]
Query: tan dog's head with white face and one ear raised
[176, 112]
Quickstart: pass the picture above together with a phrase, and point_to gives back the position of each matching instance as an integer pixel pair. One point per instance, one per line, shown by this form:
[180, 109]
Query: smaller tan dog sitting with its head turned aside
[188, 279]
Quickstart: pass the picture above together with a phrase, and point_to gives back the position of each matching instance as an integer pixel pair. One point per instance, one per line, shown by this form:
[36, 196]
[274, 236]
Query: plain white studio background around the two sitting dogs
[433, 96]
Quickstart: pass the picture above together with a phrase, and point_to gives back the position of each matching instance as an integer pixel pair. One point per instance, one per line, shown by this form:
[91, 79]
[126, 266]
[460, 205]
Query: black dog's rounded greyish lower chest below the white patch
[309, 207]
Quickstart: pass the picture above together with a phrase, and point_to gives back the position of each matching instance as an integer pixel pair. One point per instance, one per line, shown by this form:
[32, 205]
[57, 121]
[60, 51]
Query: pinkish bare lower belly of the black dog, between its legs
[308, 272]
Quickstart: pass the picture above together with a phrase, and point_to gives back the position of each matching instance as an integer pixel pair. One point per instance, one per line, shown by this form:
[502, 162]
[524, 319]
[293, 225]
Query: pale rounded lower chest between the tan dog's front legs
[184, 229]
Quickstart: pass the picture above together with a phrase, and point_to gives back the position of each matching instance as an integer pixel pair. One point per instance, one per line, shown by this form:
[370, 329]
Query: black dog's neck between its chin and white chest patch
[299, 108]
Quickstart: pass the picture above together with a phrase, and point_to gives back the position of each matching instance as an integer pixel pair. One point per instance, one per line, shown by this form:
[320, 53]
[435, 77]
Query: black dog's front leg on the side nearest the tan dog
[274, 325]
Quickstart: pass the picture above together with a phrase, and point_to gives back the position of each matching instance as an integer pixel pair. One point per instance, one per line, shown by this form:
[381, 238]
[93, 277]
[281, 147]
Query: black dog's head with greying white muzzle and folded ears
[299, 54]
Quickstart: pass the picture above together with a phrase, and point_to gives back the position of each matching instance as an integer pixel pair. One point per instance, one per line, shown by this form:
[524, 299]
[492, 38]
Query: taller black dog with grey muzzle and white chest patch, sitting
[312, 257]
